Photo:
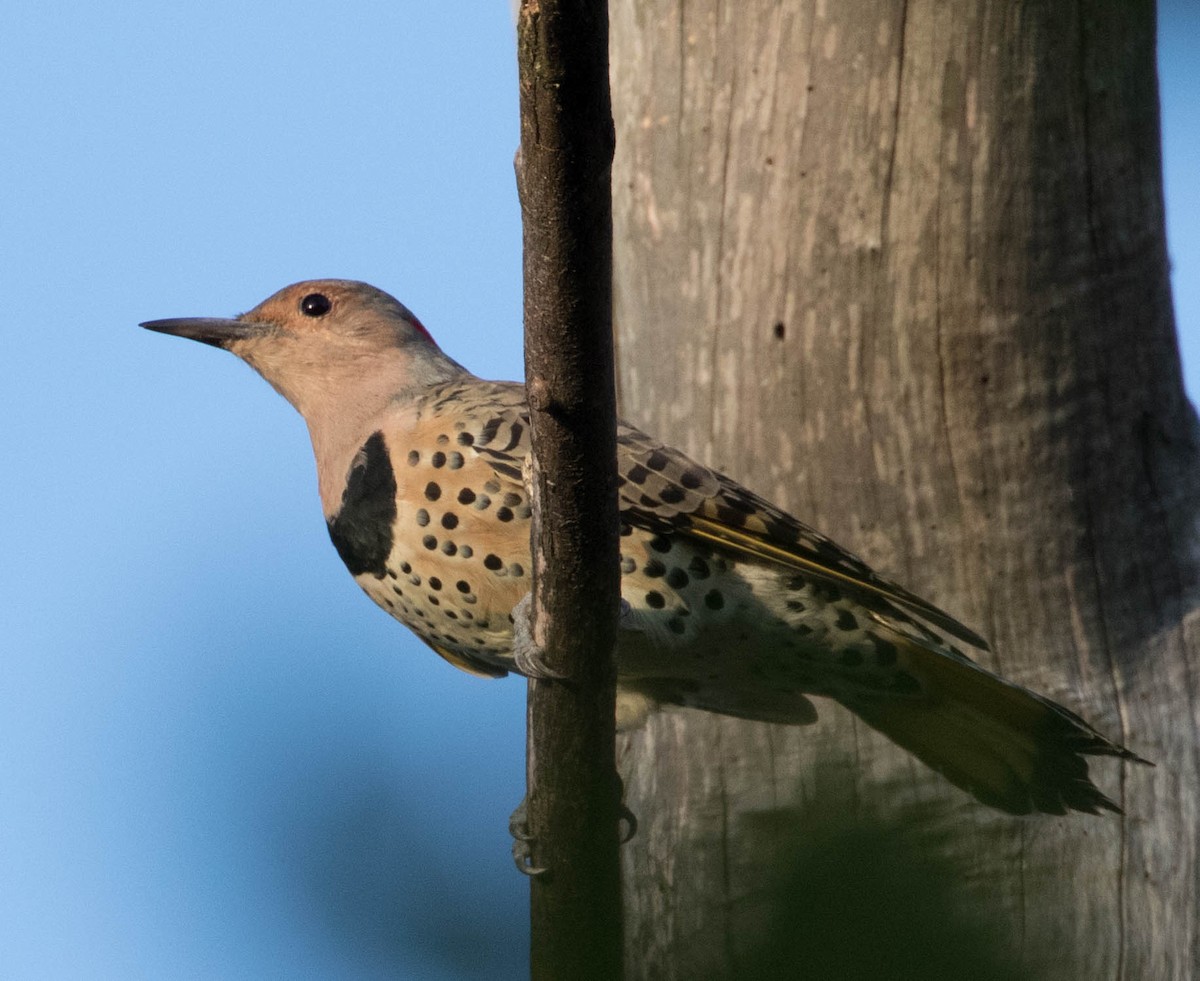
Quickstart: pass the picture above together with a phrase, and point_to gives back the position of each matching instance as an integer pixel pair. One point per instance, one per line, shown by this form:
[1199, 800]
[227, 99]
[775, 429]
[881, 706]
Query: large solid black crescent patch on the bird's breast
[363, 527]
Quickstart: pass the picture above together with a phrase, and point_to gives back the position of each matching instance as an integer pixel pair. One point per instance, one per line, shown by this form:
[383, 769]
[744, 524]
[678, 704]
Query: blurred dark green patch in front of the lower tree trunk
[867, 895]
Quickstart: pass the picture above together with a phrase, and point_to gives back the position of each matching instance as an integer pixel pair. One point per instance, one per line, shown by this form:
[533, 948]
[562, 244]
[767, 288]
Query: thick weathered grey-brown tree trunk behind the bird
[901, 268]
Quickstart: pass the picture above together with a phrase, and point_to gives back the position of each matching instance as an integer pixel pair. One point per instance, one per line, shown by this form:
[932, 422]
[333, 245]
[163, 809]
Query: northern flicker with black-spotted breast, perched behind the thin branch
[733, 606]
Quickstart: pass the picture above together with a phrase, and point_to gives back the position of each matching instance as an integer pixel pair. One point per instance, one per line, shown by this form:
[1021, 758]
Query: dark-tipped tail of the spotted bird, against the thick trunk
[1012, 749]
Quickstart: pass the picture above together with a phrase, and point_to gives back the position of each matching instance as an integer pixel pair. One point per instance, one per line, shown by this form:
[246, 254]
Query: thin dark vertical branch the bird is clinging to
[565, 182]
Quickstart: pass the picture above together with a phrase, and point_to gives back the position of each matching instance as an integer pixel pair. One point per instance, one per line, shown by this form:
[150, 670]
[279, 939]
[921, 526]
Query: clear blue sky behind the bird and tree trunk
[219, 759]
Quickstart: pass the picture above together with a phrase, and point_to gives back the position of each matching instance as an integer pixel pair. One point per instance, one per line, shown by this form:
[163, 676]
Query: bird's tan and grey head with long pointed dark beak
[325, 342]
